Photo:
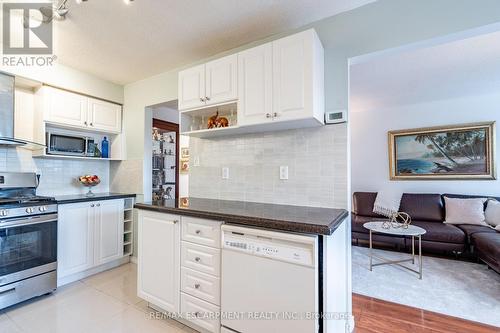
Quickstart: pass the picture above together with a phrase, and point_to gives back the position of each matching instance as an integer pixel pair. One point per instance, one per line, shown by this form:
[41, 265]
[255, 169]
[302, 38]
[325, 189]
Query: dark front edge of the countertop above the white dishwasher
[253, 221]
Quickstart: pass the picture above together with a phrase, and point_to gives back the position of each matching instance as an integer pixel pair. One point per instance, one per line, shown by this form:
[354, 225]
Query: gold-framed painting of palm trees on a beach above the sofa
[448, 152]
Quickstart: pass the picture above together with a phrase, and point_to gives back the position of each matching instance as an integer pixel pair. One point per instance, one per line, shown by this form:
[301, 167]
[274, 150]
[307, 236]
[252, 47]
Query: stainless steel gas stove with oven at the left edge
[28, 240]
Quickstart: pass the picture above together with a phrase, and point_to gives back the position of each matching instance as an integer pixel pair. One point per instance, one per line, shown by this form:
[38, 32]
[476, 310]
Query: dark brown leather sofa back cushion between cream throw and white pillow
[423, 207]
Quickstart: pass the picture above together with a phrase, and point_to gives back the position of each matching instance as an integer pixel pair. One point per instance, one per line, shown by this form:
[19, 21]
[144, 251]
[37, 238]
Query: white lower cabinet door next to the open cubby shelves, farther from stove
[108, 231]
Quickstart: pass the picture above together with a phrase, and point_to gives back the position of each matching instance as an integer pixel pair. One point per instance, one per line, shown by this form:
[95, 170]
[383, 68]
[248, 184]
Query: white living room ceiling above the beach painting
[465, 67]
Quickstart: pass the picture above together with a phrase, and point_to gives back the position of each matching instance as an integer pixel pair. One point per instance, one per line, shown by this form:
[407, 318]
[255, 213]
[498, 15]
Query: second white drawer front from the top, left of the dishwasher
[201, 258]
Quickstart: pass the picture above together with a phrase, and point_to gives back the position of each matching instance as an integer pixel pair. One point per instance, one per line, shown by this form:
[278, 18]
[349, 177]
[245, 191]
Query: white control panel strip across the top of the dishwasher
[301, 254]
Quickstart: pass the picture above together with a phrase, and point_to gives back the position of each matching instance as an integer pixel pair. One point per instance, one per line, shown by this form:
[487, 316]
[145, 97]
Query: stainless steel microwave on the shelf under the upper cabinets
[64, 144]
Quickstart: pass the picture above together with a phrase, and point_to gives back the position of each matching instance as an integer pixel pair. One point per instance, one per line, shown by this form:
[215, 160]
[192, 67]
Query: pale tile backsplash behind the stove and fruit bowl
[58, 176]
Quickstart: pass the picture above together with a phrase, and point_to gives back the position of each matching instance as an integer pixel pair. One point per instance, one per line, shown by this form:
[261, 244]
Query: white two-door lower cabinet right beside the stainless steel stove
[89, 234]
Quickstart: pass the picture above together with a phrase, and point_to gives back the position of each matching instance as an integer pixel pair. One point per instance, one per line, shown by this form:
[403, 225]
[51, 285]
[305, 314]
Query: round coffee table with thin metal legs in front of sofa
[412, 230]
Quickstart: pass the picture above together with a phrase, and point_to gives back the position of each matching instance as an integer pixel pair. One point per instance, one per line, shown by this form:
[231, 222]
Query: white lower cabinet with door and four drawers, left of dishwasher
[177, 271]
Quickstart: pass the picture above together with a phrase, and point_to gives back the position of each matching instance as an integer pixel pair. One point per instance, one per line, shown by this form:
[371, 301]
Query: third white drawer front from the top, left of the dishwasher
[201, 285]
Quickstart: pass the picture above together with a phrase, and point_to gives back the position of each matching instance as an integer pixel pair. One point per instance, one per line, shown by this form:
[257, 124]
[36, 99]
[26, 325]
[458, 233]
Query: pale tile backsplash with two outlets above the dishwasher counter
[316, 159]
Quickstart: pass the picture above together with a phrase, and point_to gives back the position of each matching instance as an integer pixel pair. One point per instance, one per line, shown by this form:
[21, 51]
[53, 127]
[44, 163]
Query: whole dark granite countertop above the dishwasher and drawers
[309, 220]
